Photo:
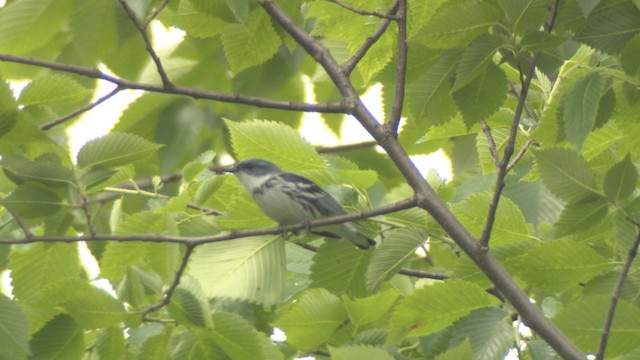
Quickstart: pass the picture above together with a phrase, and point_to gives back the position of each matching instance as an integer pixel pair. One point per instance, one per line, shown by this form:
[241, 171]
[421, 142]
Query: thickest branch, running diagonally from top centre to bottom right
[427, 198]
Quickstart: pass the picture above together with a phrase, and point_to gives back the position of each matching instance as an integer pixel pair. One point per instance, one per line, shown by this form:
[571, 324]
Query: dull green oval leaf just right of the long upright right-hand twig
[566, 174]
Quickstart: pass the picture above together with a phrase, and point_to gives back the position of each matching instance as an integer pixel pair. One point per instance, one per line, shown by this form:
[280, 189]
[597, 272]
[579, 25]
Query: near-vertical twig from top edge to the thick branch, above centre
[401, 69]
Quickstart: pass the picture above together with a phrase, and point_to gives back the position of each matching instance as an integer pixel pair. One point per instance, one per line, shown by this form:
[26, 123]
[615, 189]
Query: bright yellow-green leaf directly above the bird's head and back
[273, 141]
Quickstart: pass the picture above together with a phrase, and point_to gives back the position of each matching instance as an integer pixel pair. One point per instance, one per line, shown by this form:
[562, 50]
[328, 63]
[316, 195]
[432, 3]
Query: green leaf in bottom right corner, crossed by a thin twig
[582, 321]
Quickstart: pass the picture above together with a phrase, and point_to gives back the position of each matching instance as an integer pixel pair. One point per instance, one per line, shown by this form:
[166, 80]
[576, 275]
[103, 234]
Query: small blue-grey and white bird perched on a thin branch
[292, 199]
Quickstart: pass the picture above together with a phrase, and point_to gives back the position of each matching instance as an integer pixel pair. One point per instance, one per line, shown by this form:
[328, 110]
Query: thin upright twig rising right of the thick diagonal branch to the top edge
[510, 147]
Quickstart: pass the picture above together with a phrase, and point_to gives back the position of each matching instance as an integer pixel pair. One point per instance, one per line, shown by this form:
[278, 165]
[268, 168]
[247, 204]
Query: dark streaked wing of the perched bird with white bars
[326, 204]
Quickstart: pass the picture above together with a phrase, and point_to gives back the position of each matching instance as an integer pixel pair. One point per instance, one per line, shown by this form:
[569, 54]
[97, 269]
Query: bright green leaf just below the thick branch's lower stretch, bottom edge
[433, 308]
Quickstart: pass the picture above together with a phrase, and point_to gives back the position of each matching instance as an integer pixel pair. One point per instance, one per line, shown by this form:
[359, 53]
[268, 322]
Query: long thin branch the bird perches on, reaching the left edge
[231, 235]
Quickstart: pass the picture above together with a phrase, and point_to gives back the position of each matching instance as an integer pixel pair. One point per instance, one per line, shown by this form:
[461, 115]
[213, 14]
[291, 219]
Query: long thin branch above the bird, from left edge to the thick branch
[94, 73]
